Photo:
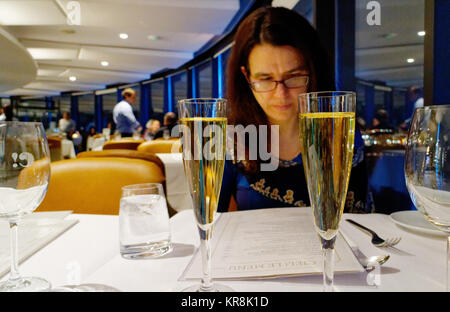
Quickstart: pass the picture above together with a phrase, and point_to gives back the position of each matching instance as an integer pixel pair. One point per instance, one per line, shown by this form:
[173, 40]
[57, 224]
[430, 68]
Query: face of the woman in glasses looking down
[268, 62]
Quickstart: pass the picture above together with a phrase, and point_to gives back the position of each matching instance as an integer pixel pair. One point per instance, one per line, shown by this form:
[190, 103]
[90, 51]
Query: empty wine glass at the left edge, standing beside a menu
[24, 177]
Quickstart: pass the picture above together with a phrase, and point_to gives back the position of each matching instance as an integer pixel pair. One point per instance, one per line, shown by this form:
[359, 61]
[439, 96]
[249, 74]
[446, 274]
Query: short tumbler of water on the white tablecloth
[144, 227]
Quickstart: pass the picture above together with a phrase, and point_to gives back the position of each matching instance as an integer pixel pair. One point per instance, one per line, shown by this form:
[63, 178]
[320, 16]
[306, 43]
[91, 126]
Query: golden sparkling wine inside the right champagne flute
[327, 149]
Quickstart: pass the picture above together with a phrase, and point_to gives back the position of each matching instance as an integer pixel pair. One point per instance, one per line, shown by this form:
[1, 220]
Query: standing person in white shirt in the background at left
[123, 116]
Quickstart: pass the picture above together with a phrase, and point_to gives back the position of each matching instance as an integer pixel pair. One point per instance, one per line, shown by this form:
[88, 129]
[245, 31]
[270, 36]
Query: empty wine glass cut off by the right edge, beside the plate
[427, 167]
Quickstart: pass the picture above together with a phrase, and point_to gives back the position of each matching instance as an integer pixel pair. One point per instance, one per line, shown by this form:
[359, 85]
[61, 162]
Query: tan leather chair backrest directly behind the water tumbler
[93, 184]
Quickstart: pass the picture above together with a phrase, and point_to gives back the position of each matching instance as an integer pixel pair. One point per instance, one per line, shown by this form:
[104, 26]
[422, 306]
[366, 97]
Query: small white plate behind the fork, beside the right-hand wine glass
[414, 220]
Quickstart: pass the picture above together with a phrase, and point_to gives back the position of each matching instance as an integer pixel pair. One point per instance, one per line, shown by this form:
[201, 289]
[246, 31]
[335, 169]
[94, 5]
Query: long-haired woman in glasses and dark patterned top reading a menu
[277, 55]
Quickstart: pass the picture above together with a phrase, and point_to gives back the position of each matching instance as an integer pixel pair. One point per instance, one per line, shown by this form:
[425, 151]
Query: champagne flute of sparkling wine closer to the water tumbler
[203, 124]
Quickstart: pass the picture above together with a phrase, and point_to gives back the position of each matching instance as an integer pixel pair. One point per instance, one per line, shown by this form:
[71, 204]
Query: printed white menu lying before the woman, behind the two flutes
[267, 243]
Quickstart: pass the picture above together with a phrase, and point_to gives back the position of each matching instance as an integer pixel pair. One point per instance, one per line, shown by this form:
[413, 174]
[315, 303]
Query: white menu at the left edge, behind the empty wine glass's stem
[35, 231]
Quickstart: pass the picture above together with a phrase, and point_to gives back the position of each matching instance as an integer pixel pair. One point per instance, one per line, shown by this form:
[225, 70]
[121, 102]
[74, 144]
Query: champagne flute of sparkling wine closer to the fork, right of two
[327, 131]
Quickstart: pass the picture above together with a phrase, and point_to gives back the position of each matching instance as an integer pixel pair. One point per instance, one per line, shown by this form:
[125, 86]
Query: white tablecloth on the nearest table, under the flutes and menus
[89, 253]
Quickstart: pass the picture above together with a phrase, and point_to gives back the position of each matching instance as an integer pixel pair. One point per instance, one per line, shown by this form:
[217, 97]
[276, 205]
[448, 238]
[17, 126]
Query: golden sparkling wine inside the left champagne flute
[204, 144]
